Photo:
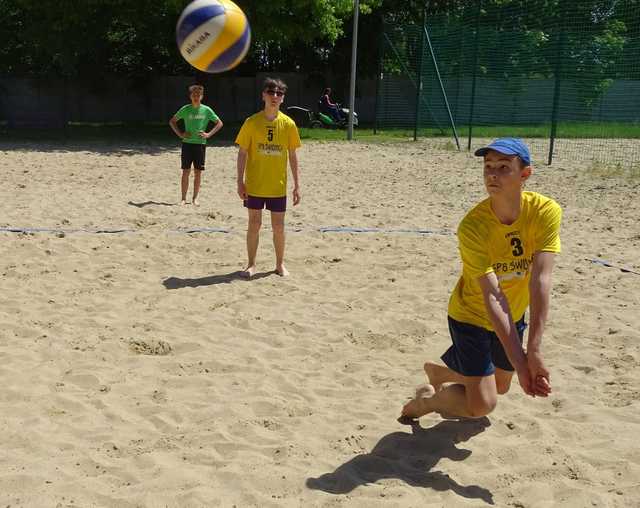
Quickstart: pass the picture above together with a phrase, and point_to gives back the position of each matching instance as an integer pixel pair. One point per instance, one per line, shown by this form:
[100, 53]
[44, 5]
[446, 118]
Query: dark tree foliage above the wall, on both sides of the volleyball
[90, 38]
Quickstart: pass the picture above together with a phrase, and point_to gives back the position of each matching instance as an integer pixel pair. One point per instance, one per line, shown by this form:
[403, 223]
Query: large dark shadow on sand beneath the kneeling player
[410, 458]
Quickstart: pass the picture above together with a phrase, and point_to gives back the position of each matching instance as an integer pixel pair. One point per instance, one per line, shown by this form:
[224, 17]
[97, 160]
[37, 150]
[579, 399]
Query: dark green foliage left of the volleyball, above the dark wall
[90, 38]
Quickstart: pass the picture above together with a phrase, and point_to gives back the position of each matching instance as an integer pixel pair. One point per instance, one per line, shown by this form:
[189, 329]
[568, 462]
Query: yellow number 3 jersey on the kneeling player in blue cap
[486, 245]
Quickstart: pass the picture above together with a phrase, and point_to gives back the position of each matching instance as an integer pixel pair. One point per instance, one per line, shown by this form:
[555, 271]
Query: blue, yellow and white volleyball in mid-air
[213, 35]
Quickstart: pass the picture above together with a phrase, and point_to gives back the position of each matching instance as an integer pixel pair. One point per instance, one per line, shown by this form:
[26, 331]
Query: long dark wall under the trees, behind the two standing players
[51, 103]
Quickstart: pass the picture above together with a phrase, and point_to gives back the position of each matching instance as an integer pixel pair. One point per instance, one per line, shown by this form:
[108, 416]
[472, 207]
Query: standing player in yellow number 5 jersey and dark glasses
[266, 141]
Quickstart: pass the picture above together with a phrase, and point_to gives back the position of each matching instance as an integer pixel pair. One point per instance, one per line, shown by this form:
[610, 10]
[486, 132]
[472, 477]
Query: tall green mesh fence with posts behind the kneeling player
[564, 75]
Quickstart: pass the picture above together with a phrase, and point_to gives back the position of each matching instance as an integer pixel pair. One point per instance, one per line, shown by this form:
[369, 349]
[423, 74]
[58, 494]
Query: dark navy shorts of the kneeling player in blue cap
[477, 351]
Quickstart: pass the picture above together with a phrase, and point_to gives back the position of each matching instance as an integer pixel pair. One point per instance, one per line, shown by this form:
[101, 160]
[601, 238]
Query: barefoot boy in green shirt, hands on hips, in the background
[196, 117]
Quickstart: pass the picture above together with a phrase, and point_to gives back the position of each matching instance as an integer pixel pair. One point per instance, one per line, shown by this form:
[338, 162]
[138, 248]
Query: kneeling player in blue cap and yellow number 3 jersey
[507, 244]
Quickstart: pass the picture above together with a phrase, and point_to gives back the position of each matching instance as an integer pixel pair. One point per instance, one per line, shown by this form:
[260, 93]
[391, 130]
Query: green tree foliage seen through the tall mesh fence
[589, 43]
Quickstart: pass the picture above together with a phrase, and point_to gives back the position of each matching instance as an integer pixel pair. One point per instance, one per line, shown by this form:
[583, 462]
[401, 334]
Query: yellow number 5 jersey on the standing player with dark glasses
[267, 143]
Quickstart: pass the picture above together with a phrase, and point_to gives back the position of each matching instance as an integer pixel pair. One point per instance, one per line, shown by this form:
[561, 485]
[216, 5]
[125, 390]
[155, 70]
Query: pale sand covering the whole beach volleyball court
[138, 369]
